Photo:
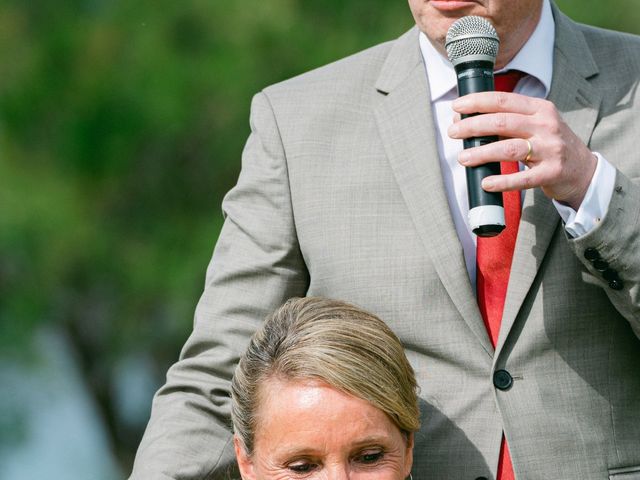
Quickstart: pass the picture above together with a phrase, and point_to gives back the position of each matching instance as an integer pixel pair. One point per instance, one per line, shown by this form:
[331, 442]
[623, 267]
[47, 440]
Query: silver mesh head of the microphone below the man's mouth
[472, 38]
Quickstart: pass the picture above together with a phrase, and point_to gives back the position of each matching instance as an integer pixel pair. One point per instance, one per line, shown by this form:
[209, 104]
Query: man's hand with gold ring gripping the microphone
[559, 163]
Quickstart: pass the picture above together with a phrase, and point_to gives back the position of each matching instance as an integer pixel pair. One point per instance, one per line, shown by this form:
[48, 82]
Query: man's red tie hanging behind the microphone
[493, 262]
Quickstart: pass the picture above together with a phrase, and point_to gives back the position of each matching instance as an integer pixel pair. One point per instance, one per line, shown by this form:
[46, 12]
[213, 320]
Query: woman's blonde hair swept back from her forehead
[337, 343]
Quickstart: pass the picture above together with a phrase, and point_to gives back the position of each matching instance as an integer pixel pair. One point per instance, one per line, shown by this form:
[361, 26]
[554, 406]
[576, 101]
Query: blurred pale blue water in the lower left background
[49, 427]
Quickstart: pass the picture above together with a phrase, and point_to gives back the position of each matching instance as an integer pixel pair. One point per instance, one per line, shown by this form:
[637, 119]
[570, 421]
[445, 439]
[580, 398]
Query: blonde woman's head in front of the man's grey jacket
[320, 379]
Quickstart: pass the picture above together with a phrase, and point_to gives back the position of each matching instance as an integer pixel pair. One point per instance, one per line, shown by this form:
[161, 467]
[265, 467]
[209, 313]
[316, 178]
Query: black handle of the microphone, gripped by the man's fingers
[473, 77]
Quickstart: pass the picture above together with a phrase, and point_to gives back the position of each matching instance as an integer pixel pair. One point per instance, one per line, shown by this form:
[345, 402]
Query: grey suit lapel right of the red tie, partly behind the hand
[578, 103]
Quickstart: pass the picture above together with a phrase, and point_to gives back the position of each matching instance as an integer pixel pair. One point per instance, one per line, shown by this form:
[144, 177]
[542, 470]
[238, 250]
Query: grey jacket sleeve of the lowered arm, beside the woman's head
[256, 266]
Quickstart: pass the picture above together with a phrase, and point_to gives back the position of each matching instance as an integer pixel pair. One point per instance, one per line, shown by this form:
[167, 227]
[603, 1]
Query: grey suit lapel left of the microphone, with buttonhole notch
[407, 132]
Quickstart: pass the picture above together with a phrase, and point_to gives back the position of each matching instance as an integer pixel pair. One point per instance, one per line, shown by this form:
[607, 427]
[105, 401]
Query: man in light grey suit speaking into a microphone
[350, 188]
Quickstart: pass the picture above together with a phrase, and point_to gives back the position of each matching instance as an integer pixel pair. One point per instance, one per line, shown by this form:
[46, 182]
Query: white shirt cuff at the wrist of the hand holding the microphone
[595, 204]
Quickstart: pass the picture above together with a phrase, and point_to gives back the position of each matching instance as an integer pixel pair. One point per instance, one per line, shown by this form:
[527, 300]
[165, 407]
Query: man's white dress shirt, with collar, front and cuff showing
[535, 59]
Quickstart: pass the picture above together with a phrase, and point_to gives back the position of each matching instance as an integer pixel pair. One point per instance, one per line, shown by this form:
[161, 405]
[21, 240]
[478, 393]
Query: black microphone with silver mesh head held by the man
[472, 47]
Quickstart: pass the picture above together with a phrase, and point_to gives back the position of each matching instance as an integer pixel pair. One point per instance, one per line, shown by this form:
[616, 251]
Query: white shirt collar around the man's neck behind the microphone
[535, 58]
